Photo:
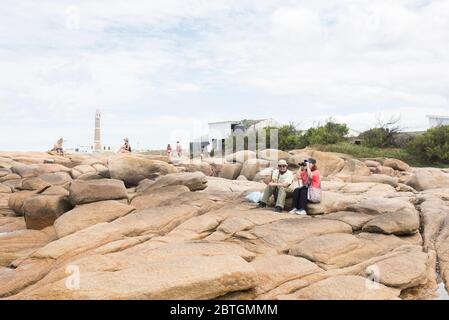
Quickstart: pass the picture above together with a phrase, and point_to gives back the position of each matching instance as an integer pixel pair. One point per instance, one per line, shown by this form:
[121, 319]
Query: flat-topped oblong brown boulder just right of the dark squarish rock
[82, 192]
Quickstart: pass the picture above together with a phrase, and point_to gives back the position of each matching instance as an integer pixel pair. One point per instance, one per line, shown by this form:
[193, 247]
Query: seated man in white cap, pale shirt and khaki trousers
[281, 179]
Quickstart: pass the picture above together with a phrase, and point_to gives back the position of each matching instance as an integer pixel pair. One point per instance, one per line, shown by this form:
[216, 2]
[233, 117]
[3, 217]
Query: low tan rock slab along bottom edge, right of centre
[346, 288]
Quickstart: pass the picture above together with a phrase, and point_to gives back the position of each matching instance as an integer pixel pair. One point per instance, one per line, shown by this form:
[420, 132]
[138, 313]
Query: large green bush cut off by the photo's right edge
[432, 146]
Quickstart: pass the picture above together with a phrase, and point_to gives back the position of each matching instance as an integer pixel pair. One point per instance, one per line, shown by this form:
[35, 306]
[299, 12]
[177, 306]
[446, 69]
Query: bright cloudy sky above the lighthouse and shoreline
[160, 70]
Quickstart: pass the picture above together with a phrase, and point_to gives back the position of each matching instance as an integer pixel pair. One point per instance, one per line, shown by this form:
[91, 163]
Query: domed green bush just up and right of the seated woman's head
[329, 133]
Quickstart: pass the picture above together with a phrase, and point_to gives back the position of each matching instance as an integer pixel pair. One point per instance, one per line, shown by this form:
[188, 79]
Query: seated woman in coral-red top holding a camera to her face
[309, 188]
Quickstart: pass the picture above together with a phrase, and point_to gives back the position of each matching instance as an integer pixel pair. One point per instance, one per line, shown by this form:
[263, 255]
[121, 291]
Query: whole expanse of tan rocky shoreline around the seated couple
[144, 227]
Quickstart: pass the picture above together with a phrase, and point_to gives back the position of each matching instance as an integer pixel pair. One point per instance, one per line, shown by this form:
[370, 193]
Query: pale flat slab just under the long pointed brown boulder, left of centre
[154, 198]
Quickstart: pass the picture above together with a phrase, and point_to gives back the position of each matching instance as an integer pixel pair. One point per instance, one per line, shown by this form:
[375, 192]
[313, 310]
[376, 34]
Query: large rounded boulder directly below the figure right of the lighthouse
[132, 170]
